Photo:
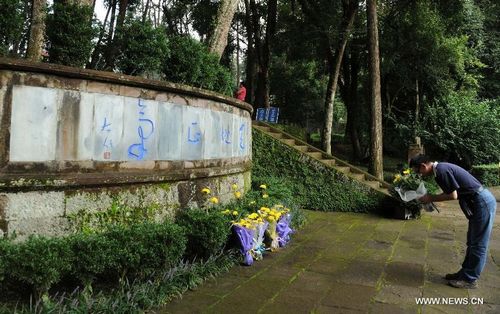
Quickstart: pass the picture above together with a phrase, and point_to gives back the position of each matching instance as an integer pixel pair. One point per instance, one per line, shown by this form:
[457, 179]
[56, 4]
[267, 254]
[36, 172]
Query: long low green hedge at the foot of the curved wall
[140, 249]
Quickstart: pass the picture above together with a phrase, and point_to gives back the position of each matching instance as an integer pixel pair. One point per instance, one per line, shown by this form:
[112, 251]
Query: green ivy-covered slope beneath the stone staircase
[315, 186]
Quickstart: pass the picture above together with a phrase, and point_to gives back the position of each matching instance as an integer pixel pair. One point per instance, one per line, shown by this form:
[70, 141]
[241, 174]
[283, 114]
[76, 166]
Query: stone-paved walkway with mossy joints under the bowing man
[352, 263]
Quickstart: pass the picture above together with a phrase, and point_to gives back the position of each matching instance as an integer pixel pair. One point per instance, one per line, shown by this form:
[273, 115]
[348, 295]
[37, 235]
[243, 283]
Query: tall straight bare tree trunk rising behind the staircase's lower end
[376, 158]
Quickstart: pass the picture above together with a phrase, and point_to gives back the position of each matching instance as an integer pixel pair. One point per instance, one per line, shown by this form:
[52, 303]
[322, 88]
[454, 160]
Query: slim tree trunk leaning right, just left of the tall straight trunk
[335, 62]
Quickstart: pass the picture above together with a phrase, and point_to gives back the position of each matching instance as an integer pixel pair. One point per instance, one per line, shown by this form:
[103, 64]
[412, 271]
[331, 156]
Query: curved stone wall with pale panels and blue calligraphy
[73, 139]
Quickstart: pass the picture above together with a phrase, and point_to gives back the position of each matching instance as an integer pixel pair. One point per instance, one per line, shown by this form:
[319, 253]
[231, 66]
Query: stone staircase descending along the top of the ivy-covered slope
[349, 170]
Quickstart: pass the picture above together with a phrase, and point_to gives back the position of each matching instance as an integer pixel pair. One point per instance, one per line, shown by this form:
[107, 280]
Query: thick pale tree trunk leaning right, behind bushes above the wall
[218, 41]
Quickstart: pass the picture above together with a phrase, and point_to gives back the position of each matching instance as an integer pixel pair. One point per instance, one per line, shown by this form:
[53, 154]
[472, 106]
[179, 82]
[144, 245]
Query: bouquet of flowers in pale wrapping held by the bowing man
[410, 187]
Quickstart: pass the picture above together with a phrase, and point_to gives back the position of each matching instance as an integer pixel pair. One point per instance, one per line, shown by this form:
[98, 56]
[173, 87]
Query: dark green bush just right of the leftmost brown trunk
[70, 32]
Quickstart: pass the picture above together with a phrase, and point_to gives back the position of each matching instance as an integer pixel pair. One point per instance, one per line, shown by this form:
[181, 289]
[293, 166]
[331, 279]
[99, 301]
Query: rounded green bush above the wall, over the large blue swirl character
[143, 48]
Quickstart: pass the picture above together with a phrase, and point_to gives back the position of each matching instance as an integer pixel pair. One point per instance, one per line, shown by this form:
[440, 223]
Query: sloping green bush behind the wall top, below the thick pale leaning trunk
[190, 63]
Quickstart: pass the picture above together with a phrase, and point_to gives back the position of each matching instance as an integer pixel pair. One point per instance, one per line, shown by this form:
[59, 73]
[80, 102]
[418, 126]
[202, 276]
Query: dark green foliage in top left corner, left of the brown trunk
[11, 23]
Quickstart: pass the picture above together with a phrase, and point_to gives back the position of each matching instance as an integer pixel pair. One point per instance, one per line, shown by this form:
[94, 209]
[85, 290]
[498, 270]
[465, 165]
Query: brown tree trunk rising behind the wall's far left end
[37, 31]
